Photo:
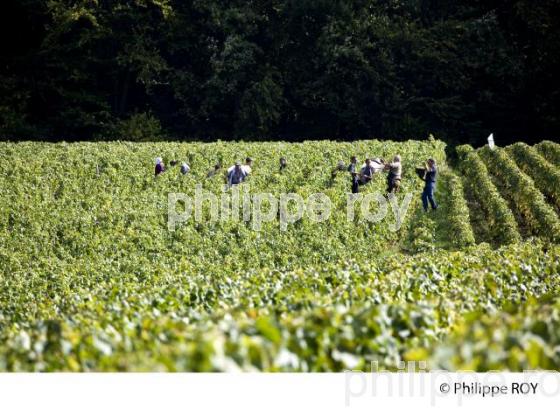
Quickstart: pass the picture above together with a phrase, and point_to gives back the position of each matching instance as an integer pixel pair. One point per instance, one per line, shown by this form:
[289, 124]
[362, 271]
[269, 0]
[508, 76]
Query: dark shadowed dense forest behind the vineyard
[280, 69]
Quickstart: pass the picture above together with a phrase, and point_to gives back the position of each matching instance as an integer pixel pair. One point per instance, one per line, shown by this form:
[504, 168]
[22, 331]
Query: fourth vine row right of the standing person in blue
[545, 176]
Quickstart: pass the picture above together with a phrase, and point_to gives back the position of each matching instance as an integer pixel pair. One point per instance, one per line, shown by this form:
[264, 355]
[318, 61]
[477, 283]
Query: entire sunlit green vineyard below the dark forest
[92, 279]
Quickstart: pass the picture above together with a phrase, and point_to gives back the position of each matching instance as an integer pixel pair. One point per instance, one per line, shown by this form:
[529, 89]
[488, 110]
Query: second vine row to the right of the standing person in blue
[500, 218]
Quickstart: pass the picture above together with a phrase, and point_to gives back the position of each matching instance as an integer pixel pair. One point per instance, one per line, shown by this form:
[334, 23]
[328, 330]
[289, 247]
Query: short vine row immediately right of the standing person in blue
[458, 225]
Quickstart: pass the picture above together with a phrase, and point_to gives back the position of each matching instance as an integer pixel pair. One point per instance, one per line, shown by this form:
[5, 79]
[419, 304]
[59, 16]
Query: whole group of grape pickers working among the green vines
[238, 172]
